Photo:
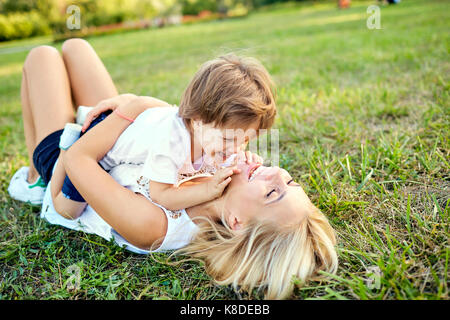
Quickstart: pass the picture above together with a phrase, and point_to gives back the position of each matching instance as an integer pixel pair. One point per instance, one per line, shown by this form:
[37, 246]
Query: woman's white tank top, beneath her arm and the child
[180, 228]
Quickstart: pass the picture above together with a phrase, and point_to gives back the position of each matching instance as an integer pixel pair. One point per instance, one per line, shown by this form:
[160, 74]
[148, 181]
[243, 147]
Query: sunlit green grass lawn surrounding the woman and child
[364, 127]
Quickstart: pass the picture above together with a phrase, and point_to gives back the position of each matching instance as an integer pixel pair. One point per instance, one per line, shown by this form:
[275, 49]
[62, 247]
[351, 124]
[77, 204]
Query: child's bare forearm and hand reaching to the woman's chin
[177, 198]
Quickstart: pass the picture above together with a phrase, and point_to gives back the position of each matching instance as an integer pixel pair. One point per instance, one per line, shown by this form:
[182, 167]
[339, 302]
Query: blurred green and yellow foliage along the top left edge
[28, 18]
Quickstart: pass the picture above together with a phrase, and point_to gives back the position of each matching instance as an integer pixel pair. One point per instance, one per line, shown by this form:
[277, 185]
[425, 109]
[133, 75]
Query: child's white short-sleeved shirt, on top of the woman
[159, 140]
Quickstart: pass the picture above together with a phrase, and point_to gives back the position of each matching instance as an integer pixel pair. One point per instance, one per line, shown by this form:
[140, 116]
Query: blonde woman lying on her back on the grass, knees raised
[260, 232]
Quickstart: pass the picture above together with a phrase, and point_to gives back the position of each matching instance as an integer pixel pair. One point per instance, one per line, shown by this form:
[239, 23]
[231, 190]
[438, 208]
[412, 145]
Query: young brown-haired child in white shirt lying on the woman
[225, 105]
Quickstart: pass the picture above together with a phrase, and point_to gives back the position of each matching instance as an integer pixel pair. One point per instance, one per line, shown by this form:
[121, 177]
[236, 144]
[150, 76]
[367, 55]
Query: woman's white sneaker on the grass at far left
[20, 189]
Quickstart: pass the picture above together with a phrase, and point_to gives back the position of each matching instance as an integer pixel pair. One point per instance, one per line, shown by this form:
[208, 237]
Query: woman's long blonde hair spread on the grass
[264, 254]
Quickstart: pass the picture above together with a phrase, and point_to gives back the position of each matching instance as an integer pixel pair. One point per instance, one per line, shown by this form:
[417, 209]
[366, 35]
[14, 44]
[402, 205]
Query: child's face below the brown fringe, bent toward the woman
[220, 143]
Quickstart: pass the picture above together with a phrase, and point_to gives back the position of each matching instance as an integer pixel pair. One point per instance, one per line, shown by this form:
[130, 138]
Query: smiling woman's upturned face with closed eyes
[264, 193]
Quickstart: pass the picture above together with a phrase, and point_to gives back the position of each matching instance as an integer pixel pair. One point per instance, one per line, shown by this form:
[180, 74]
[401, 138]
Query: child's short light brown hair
[230, 91]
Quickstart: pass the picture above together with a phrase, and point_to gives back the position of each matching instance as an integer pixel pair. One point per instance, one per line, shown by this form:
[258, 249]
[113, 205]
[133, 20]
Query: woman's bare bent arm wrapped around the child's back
[131, 215]
